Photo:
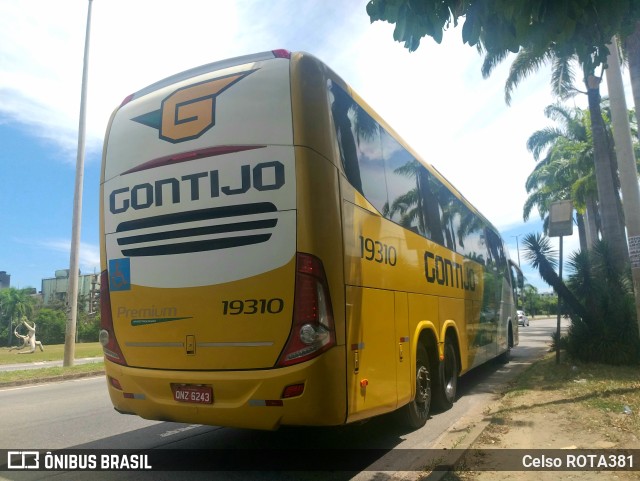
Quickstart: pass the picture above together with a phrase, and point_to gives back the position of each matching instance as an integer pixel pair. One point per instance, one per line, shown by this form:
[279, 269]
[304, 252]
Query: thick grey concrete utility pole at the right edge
[626, 165]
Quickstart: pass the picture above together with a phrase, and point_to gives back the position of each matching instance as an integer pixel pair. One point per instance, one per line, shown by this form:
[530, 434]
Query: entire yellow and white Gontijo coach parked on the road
[274, 254]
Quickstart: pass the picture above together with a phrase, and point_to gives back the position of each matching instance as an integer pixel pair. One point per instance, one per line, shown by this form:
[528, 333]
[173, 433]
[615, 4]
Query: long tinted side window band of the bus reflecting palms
[403, 190]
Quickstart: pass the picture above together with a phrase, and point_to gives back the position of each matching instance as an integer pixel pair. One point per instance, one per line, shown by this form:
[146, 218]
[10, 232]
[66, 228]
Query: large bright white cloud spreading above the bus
[435, 98]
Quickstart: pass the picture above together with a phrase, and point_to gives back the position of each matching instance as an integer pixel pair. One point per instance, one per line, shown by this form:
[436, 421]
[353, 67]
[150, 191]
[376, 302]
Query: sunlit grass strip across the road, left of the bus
[51, 353]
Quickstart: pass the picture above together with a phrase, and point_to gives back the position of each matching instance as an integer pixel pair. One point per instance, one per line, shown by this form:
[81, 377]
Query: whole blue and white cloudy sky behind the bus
[435, 98]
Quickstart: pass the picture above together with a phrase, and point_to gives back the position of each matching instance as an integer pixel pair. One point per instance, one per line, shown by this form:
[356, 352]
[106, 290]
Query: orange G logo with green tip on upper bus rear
[190, 111]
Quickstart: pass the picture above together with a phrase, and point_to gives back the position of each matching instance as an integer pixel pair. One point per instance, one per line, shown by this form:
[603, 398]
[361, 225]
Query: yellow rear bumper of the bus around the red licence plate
[243, 399]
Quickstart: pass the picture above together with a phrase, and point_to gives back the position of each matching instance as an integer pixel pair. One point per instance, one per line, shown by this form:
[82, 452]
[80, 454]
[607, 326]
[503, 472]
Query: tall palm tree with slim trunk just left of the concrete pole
[529, 60]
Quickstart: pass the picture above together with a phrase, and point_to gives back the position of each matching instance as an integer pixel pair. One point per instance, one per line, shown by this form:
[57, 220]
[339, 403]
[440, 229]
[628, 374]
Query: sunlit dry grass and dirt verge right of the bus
[591, 397]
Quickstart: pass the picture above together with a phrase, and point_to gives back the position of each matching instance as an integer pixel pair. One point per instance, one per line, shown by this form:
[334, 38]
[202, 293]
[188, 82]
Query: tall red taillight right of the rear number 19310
[313, 330]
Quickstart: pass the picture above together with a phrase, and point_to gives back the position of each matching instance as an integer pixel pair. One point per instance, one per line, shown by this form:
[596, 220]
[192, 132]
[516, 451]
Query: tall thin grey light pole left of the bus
[74, 261]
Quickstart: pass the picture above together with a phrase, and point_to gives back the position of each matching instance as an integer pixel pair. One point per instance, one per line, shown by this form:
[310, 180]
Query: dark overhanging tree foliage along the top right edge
[583, 27]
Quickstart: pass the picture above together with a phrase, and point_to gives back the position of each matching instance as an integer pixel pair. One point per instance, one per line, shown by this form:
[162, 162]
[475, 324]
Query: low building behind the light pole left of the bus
[55, 289]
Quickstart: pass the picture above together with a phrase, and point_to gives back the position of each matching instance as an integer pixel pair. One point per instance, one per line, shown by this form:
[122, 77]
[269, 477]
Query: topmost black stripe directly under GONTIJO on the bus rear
[197, 215]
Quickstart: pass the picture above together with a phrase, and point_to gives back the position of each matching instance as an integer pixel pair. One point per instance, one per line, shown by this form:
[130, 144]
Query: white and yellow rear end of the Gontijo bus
[217, 288]
